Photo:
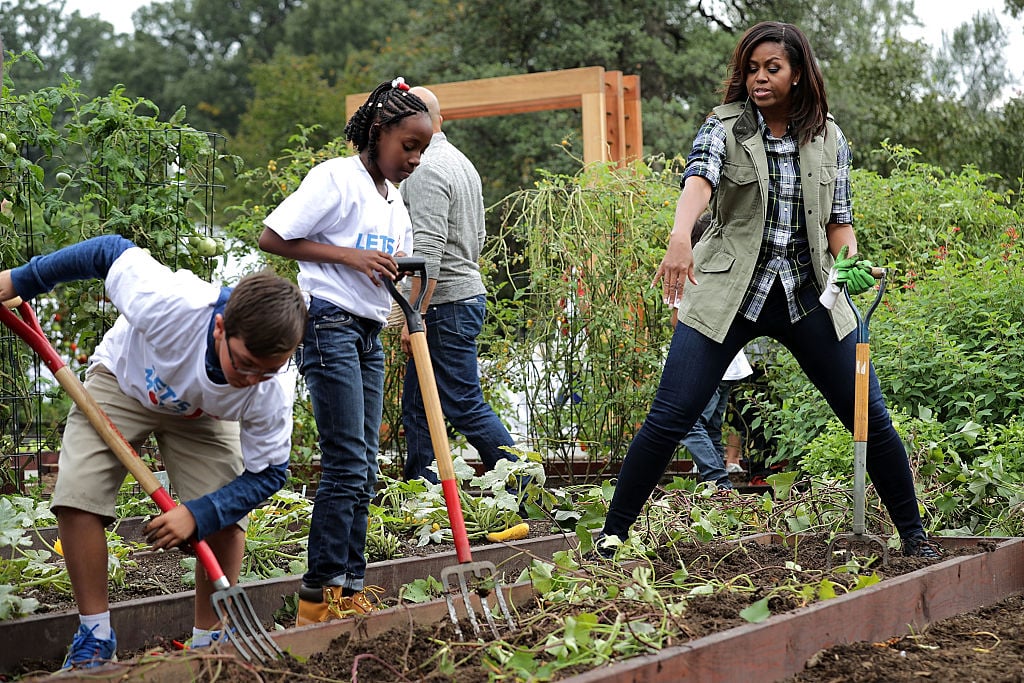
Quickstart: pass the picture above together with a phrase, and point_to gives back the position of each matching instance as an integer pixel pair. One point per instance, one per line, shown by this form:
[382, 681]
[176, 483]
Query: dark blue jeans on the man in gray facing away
[452, 330]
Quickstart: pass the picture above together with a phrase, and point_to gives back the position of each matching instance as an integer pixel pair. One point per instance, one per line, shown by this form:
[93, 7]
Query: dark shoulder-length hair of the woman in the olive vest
[810, 105]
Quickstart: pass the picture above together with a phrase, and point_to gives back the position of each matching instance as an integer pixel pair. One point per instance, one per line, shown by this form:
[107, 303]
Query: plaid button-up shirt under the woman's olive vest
[785, 252]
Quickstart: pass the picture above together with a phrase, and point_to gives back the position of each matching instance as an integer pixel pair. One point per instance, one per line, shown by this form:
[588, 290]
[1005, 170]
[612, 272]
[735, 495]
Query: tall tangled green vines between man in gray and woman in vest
[580, 336]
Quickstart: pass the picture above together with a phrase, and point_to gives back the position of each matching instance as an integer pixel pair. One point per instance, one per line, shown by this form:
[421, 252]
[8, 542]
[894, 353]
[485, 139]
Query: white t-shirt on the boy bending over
[157, 350]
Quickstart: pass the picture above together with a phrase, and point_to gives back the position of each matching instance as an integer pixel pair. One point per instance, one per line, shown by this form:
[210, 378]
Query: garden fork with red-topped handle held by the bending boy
[231, 604]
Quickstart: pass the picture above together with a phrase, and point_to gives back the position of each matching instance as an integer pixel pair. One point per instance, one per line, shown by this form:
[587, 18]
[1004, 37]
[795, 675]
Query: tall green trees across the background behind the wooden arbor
[222, 61]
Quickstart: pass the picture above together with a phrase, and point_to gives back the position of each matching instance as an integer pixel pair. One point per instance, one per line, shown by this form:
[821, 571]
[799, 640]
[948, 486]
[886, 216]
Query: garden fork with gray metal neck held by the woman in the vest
[864, 364]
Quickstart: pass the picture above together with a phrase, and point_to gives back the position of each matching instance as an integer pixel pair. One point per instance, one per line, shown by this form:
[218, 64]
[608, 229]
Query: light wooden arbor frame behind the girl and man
[610, 102]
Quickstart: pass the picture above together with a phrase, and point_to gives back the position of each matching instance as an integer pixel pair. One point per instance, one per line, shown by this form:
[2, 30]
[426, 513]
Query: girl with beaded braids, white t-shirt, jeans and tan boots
[345, 225]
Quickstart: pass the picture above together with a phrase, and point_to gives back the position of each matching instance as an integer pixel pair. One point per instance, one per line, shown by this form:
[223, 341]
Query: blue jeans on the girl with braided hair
[344, 363]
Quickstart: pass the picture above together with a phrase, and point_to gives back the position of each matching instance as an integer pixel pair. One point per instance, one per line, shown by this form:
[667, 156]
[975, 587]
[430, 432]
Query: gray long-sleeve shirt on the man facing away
[445, 199]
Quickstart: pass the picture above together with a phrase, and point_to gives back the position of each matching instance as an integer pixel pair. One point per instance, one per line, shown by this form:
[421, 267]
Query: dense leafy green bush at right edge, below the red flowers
[953, 339]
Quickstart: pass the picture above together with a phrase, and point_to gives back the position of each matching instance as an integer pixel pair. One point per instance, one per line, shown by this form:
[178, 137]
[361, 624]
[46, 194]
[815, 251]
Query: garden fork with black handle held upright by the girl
[455, 579]
